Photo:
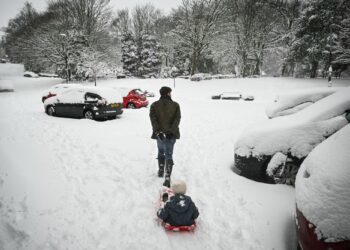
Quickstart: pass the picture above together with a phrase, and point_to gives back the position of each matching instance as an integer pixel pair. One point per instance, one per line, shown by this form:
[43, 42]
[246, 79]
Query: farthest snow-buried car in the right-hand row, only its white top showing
[296, 100]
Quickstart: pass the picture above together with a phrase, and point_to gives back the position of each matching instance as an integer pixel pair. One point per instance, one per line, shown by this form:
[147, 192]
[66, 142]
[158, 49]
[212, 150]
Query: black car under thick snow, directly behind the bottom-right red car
[273, 151]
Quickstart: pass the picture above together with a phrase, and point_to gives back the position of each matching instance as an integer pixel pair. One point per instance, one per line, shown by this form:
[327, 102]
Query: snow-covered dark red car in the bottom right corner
[322, 194]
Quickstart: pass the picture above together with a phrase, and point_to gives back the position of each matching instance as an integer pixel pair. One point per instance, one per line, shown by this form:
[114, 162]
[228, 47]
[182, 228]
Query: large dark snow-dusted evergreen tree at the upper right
[318, 24]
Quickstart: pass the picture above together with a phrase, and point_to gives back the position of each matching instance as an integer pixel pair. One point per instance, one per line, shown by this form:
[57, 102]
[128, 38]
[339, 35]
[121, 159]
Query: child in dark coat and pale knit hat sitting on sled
[179, 210]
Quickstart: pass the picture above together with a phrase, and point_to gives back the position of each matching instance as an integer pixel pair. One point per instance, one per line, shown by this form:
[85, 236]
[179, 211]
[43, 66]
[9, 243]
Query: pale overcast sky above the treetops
[10, 8]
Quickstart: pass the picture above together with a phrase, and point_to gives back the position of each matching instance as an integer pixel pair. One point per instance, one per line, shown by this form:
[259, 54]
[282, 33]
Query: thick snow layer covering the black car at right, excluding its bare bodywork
[299, 132]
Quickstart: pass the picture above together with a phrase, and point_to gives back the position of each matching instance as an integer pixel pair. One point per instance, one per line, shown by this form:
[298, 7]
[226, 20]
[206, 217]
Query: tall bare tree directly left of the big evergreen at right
[252, 23]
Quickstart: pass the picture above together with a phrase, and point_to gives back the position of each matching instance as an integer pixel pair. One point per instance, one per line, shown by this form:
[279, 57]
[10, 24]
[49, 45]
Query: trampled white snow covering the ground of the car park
[81, 184]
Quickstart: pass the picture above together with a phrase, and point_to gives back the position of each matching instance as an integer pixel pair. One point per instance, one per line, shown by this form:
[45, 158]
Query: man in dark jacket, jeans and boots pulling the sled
[165, 117]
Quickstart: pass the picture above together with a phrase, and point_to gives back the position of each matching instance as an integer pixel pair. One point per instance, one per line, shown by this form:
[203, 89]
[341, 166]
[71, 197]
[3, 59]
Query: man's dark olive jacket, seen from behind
[165, 117]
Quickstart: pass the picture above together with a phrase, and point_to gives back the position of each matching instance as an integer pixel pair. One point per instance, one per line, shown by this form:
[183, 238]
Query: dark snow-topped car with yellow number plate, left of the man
[87, 102]
